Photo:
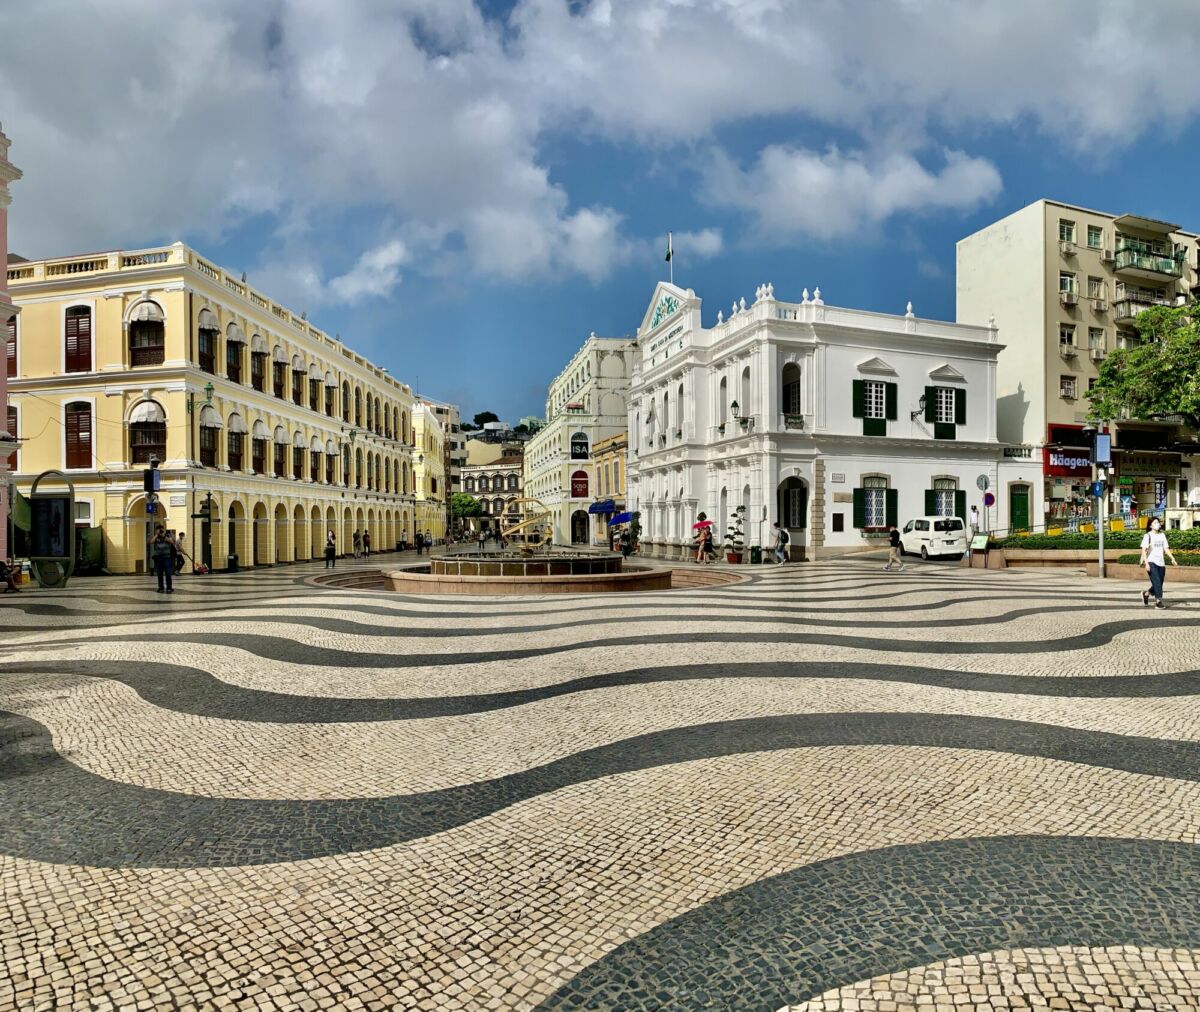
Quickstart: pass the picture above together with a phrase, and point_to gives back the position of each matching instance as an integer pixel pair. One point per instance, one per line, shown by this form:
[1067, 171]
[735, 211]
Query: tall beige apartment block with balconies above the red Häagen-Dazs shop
[1065, 285]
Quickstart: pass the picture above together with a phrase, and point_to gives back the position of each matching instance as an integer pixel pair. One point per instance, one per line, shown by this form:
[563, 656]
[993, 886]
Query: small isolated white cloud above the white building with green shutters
[793, 193]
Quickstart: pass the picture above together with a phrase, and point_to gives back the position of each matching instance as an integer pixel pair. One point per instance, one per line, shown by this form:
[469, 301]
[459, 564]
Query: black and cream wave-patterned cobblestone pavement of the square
[827, 788]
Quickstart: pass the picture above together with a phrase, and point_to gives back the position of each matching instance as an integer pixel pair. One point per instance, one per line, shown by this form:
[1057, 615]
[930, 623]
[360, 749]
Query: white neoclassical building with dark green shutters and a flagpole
[837, 423]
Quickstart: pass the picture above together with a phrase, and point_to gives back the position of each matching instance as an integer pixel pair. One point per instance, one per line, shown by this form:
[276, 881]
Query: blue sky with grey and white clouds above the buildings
[465, 191]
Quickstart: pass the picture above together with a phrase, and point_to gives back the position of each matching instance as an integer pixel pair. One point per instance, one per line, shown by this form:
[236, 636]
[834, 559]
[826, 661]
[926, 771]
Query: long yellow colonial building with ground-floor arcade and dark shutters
[125, 357]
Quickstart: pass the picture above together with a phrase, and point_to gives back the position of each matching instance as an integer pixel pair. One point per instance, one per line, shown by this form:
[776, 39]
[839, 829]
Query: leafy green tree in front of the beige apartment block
[1157, 379]
